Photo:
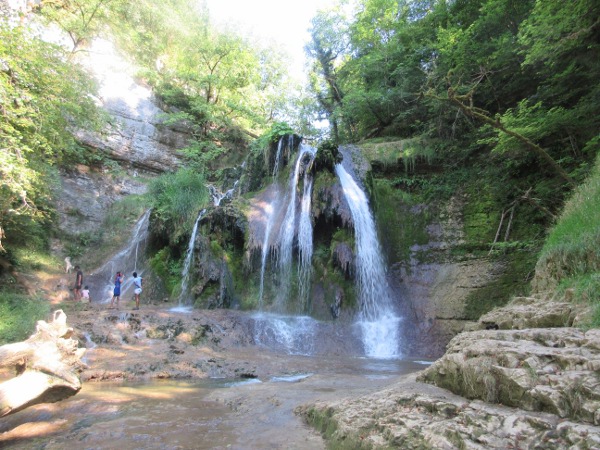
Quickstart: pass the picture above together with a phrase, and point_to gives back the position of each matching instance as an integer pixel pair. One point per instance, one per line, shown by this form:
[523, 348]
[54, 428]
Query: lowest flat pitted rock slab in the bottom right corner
[413, 415]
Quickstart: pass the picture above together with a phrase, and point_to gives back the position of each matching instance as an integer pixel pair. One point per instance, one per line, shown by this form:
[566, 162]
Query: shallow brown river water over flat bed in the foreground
[212, 413]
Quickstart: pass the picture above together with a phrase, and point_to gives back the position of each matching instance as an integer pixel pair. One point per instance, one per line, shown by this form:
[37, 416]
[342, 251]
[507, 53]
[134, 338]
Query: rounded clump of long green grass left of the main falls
[176, 201]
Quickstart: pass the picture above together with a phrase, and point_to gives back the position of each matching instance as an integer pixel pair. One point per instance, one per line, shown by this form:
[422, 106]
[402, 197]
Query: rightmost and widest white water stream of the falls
[377, 320]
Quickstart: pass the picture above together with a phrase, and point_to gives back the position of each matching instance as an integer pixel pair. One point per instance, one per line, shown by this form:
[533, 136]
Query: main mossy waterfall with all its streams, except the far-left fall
[283, 239]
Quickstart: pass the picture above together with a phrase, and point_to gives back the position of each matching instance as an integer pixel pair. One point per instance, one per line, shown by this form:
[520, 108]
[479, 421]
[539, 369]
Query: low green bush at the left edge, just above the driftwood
[18, 314]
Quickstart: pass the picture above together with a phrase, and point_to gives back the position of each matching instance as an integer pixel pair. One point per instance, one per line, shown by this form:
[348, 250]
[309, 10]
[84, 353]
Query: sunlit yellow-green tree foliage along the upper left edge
[42, 98]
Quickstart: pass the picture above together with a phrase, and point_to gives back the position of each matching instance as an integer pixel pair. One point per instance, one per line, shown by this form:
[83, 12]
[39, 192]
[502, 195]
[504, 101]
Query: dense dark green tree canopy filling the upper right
[388, 74]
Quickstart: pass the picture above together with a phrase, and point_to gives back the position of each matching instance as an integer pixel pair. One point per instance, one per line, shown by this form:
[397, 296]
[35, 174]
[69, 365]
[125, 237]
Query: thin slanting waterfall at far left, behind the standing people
[101, 282]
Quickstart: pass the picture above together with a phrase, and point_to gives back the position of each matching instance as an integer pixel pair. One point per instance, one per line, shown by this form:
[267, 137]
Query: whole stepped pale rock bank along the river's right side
[517, 388]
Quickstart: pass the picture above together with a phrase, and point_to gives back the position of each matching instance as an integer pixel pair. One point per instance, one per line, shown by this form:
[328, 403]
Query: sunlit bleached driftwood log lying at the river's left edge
[47, 366]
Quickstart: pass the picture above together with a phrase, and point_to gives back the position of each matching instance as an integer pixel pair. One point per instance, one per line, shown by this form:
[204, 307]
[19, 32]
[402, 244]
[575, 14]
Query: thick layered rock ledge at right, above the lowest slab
[540, 369]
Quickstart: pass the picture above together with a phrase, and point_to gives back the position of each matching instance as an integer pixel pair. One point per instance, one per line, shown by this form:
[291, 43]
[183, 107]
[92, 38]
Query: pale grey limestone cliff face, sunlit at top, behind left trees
[136, 139]
